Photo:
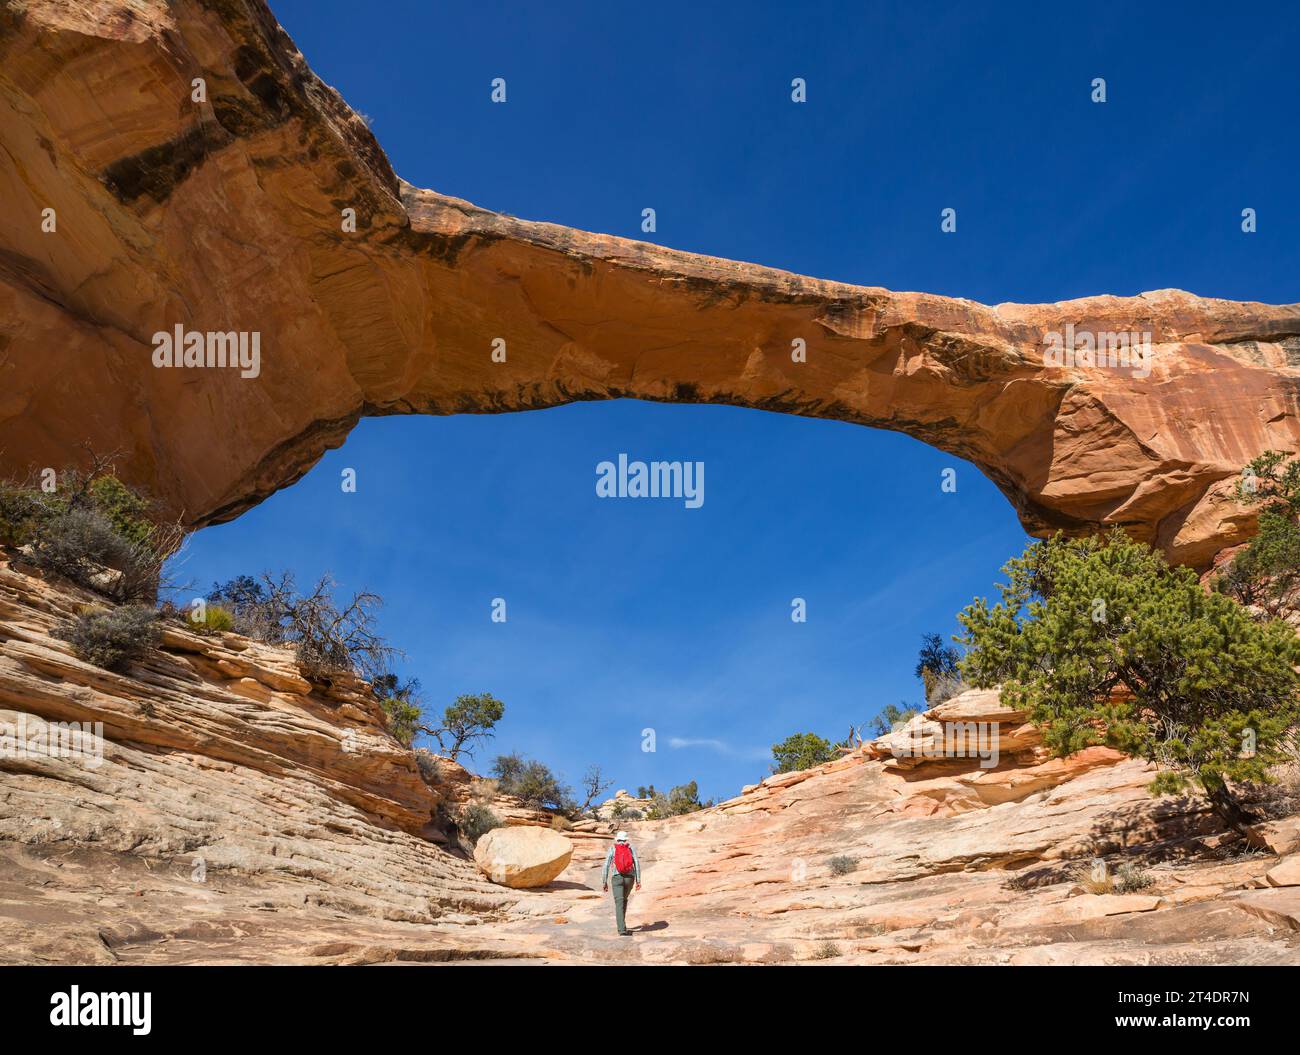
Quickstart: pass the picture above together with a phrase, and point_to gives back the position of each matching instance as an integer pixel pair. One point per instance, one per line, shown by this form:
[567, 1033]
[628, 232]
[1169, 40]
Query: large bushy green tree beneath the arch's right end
[1103, 642]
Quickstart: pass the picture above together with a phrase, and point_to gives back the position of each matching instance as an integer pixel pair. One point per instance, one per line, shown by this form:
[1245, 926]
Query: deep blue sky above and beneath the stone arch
[634, 615]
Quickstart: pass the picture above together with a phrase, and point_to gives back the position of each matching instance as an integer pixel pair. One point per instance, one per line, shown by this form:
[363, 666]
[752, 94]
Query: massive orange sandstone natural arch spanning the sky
[228, 215]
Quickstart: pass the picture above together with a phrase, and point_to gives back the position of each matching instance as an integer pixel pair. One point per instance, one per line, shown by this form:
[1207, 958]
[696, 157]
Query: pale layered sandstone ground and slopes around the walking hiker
[245, 815]
